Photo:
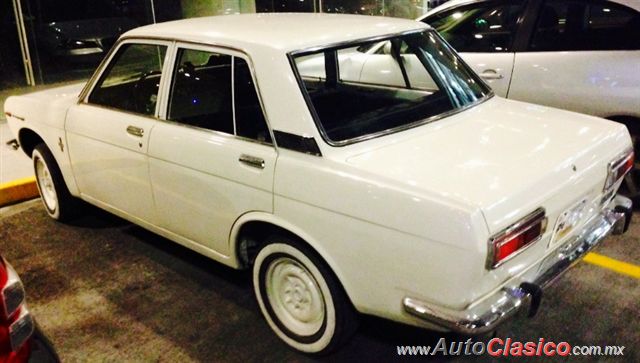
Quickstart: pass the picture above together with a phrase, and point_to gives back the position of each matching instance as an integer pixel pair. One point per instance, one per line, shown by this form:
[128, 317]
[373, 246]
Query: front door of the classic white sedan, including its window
[108, 131]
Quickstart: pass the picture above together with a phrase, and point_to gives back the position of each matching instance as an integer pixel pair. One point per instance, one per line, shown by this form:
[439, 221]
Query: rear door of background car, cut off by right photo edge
[583, 57]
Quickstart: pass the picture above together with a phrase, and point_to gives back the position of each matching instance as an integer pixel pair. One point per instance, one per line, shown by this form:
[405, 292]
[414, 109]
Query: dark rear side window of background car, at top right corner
[565, 25]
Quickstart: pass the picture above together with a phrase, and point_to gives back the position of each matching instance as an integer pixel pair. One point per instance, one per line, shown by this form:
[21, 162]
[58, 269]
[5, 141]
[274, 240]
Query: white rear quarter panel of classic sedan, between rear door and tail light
[383, 242]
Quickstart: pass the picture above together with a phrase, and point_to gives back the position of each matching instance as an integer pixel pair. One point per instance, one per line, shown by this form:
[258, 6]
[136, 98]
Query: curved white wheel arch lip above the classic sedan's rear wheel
[250, 230]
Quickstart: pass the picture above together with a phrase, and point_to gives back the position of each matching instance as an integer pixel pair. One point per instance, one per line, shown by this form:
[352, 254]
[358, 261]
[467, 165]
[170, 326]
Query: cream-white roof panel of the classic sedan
[281, 31]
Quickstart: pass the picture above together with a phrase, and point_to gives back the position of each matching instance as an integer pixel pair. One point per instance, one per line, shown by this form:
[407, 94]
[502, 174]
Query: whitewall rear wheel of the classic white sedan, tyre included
[300, 298]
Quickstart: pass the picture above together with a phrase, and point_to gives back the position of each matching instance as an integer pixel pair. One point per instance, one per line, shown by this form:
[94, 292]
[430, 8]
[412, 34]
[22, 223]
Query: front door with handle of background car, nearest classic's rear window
[483, 33]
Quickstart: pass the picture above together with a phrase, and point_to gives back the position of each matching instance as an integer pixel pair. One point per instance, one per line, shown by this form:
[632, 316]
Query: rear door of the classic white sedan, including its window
[213, 158]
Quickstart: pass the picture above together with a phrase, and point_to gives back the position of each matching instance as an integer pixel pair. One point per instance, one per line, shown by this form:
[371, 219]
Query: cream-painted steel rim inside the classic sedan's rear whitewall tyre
[295, 296]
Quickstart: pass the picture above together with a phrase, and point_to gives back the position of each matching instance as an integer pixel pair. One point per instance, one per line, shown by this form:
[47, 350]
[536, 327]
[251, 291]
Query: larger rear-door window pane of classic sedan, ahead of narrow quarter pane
[201, 90]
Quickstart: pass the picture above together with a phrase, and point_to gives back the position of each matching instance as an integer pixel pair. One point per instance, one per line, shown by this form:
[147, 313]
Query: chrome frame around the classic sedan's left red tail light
[539, 215]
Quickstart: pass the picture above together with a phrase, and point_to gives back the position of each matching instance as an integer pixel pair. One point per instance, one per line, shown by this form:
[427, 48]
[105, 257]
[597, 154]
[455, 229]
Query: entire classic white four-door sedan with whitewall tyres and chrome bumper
[355, 164]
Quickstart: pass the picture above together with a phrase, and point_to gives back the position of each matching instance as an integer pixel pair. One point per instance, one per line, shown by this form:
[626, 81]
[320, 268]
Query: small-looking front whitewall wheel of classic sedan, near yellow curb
[57, 200]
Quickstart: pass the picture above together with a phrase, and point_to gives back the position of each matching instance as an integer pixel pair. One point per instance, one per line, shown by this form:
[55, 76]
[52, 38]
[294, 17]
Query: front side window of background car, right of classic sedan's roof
[483, 27]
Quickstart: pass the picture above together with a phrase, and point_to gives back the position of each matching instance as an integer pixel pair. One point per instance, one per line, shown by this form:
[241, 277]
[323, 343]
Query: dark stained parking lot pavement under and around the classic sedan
[106, 290]
